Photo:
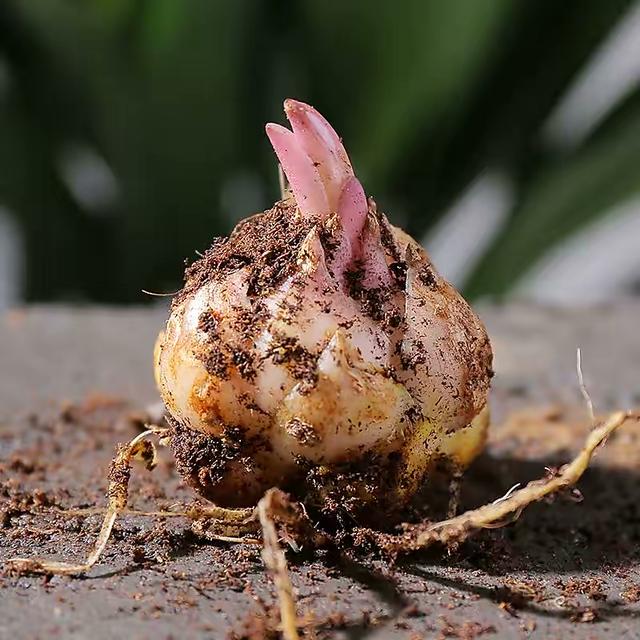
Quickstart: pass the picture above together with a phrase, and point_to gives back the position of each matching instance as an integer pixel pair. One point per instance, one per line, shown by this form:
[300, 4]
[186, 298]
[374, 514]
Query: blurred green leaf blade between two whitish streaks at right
[563, 197]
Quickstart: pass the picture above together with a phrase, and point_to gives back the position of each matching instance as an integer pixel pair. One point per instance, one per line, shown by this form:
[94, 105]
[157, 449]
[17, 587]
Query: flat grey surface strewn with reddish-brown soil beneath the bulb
[74, 383]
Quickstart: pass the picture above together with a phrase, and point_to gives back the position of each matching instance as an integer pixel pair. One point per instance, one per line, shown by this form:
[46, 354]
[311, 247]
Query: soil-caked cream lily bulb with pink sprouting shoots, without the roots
[318, 341]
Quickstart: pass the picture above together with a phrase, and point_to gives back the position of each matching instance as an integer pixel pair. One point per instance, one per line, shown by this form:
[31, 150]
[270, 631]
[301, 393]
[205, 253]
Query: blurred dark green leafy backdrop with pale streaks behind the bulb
[505, 134]
